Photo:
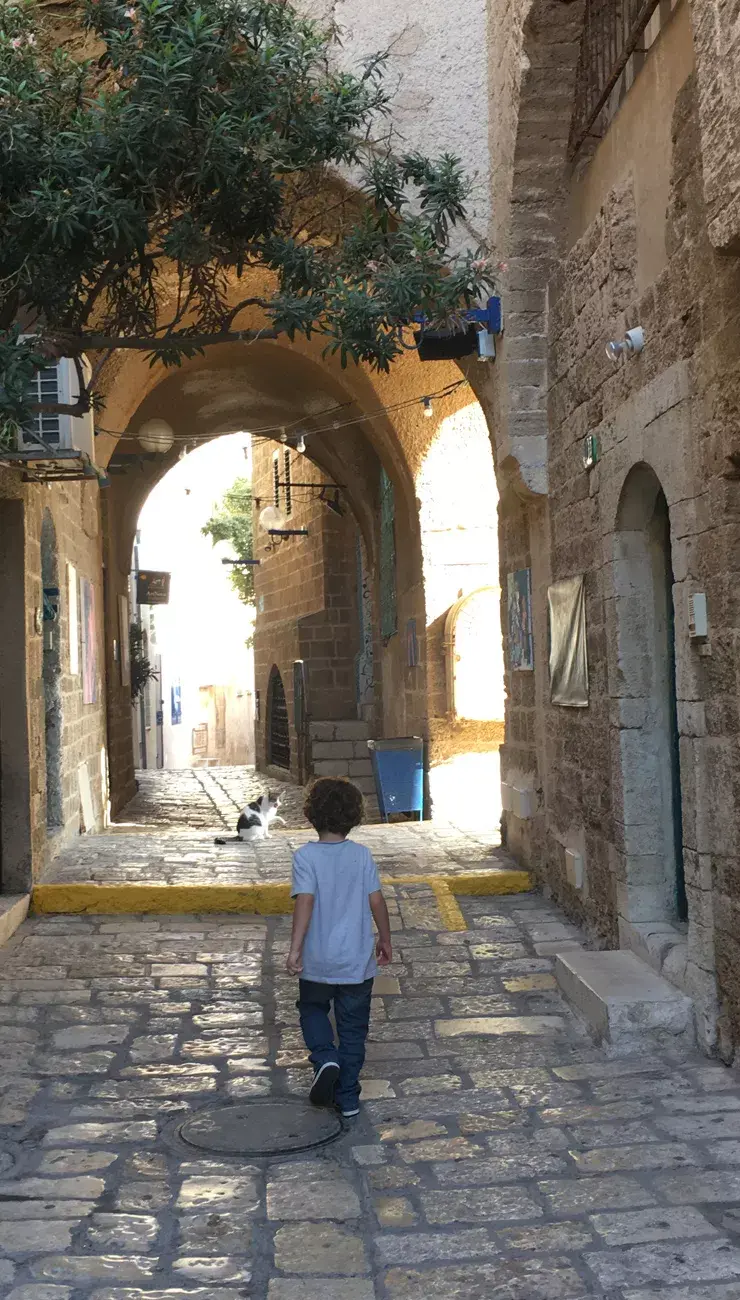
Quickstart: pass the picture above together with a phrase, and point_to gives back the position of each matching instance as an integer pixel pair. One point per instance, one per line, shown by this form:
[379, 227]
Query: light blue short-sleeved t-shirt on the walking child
[340, 943]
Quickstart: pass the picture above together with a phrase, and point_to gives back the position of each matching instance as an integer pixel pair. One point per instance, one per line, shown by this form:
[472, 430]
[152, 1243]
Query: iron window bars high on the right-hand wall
[613, 33]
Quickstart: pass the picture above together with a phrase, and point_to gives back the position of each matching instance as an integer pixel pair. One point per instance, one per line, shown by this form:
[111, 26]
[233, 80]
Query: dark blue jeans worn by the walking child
[352, 1013]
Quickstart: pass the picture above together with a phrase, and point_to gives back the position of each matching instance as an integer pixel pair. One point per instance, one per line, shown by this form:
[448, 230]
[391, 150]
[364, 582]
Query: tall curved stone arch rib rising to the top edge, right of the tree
[534, 90]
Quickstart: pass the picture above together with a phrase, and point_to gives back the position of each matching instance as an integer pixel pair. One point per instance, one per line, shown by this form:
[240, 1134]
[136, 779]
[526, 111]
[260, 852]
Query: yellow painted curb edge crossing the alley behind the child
[261, 900]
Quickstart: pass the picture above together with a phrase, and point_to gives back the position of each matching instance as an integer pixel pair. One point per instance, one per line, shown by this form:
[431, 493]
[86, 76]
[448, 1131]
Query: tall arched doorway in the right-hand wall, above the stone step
[646, 683]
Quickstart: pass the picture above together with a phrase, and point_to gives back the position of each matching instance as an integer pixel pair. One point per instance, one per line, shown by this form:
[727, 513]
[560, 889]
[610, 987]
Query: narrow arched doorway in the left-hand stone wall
[53, 674]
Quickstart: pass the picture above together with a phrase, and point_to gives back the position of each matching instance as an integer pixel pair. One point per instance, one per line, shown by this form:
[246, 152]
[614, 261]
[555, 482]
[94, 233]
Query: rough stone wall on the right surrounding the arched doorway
[673, 410]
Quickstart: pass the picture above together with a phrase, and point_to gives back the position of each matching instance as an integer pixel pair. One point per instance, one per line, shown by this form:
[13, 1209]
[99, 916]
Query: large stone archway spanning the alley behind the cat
[239, 388]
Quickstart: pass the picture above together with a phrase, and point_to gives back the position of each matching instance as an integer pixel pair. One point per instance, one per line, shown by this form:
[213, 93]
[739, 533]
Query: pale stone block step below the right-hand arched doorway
[622, 1000]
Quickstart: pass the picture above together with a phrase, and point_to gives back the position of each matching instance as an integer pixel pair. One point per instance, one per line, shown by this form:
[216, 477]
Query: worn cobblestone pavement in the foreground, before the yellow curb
[499, 1155]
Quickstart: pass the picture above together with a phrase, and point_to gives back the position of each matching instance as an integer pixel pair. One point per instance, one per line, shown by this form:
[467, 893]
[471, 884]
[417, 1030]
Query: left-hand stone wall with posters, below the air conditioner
[72, 513]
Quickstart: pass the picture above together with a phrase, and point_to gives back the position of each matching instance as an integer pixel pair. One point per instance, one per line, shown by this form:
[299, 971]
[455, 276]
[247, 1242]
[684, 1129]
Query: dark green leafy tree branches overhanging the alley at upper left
[189, 187]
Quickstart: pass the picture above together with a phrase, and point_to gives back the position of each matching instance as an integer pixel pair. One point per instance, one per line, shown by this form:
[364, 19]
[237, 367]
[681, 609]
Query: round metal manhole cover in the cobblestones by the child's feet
[262, 1128]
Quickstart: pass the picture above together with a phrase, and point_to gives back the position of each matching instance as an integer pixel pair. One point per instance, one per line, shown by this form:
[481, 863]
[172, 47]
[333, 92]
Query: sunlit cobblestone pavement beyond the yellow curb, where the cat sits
[161, 838]
